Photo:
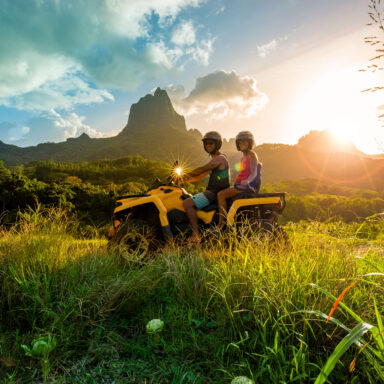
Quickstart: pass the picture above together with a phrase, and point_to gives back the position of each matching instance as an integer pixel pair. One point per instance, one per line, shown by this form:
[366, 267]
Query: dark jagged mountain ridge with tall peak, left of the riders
[154, 130]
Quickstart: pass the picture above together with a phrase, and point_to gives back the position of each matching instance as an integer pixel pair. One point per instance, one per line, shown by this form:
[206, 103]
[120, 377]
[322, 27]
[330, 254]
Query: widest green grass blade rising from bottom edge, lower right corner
[341, 348]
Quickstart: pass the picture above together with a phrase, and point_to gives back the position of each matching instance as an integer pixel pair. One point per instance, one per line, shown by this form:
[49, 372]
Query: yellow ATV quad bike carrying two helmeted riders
[144, 222]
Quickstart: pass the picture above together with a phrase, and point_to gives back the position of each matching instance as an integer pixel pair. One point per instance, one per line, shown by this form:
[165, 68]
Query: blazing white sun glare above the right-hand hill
[333, 102]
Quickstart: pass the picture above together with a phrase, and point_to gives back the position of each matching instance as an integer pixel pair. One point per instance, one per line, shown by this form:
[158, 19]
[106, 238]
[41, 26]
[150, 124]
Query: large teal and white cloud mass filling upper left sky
[53, 47]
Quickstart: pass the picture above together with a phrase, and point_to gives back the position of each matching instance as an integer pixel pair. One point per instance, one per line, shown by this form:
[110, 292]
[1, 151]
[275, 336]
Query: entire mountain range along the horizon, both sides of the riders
[156, 131]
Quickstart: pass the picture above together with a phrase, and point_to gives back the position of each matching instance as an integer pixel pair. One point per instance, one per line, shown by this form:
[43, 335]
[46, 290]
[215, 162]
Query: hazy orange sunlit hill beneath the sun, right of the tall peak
[317, 155]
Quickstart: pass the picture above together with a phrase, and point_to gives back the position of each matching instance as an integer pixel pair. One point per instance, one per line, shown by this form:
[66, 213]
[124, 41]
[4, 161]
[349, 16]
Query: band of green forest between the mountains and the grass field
[88, 190]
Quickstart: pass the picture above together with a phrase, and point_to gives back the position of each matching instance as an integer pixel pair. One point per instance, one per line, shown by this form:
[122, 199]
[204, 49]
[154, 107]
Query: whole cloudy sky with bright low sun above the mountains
[279, 68]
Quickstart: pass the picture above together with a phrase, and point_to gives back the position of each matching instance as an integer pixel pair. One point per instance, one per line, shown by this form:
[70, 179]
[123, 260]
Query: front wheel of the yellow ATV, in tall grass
[135, 237]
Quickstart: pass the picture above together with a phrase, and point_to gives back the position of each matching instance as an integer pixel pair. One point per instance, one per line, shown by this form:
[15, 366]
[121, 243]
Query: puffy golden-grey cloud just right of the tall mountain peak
[220, 94]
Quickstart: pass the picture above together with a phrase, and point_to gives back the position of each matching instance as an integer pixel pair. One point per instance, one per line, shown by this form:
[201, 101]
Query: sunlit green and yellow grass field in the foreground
[230, 308]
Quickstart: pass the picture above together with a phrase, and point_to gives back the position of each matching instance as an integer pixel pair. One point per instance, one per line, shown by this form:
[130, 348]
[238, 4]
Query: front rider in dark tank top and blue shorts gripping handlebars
[218, 170]
